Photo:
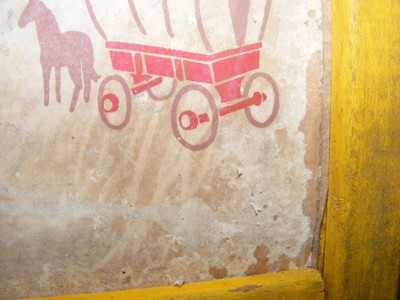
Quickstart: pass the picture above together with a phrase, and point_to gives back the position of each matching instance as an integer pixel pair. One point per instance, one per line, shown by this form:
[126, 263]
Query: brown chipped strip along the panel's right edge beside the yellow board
[316, 158]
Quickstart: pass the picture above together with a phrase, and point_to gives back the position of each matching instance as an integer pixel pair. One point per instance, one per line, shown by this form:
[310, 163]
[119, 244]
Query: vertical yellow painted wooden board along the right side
[362, 247]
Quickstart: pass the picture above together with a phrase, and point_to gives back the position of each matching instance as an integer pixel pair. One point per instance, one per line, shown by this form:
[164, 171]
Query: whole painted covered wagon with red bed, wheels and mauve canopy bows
[217, 77]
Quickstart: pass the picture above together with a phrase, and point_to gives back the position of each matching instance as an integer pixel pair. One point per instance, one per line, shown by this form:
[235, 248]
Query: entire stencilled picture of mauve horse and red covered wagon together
[196, 73]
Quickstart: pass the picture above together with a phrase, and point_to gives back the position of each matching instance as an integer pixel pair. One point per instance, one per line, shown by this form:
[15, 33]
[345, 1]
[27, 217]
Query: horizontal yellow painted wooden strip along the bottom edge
[303, 284]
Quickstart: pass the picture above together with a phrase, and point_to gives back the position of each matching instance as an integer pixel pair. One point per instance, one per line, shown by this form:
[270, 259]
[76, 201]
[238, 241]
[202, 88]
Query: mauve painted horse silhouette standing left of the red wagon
[70, 49]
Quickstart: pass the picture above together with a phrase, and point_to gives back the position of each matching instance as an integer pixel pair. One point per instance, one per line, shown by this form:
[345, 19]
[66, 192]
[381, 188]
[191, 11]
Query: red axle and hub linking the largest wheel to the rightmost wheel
[193, 120]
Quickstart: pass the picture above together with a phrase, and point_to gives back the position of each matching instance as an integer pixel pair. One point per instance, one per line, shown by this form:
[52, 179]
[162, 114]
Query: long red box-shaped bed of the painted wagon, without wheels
[206, 68]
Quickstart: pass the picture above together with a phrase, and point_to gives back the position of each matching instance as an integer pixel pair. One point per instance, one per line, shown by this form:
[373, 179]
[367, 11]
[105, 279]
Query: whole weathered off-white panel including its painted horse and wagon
[149, 142]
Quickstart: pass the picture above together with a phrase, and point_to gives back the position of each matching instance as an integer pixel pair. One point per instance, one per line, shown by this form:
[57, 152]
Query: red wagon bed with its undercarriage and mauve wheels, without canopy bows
[224, 71]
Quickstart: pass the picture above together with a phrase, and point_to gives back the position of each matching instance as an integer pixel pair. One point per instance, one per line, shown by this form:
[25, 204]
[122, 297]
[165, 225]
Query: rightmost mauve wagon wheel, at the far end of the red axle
[263, 115]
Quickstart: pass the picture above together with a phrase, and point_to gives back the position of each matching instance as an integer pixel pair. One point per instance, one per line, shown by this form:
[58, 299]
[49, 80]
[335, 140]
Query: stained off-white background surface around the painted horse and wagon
[86, 208]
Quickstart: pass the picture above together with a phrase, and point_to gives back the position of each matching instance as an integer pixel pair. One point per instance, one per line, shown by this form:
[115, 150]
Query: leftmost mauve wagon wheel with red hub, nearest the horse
[109, 104]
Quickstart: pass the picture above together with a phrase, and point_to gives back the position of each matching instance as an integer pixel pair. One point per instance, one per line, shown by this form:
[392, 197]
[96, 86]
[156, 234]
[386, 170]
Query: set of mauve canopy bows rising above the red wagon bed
[239, 10]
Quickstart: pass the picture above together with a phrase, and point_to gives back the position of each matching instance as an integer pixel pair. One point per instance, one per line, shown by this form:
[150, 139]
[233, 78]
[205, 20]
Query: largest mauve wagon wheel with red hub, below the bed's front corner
[188, 125]
